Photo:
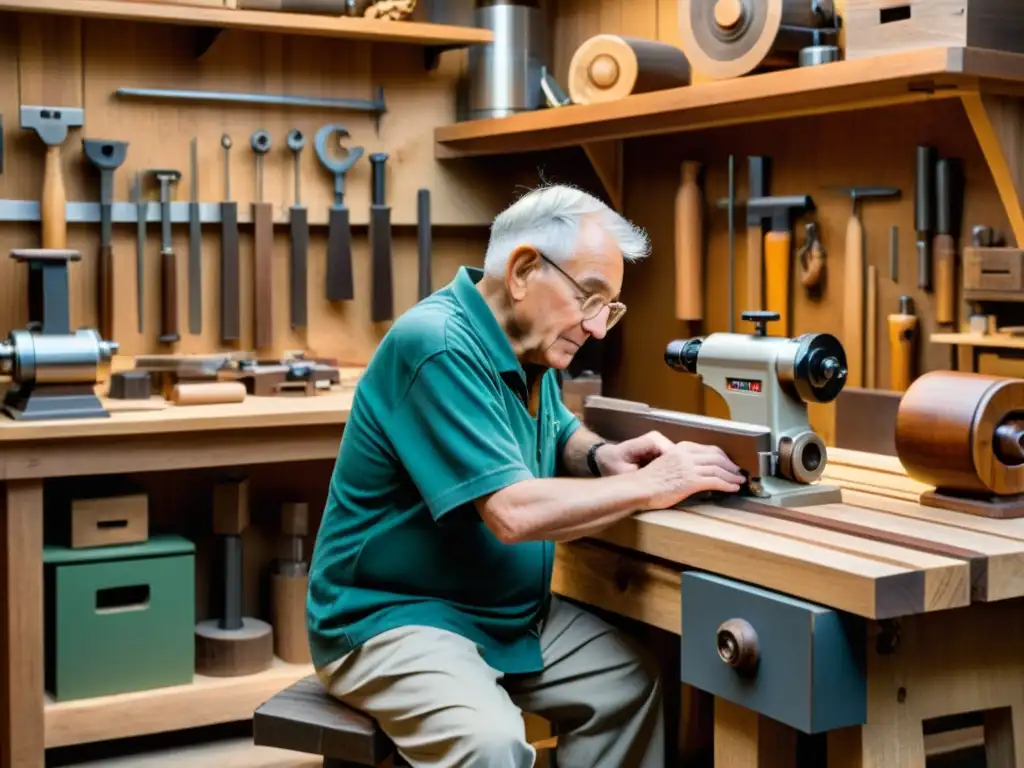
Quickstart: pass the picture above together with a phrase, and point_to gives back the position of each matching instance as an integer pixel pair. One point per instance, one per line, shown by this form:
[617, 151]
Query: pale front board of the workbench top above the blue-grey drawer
[859, 585]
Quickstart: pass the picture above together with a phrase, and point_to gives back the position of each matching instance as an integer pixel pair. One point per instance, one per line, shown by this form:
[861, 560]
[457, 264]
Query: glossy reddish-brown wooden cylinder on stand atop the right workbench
[964, 434]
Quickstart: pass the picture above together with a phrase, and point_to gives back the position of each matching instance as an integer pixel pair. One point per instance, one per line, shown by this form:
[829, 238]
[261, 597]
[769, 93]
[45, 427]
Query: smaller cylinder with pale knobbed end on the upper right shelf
[608, 68]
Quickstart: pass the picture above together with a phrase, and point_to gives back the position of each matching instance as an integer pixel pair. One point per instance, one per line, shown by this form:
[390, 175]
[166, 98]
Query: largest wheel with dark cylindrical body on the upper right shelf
[731, 38]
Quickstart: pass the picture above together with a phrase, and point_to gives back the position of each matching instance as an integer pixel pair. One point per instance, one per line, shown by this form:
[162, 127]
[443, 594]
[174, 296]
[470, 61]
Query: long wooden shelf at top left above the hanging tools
[288, 24]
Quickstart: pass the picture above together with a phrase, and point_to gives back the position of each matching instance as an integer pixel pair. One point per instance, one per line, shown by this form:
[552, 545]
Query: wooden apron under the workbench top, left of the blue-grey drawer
[619, 582]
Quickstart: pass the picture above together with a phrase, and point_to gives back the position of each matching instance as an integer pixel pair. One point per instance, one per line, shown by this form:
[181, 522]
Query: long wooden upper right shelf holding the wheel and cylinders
[843, 87]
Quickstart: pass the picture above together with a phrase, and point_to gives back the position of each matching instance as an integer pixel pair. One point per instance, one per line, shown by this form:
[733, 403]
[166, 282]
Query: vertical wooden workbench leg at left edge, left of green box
[22, 729]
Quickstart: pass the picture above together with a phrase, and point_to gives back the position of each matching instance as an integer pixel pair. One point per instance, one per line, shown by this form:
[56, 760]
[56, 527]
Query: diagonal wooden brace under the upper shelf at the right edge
[999, 125]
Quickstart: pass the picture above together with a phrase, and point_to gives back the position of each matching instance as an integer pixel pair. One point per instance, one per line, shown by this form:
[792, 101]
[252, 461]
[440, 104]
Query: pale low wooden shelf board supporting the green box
[207, 702]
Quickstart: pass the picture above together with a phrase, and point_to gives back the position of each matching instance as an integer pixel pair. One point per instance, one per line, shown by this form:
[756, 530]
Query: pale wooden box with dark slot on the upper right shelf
[878, 27]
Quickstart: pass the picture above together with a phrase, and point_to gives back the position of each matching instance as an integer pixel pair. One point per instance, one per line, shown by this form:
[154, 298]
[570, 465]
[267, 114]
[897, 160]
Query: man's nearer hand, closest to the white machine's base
[690, 468]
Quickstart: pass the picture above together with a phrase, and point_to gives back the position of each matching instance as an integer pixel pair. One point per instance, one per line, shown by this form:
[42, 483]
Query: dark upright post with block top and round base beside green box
[233, 645]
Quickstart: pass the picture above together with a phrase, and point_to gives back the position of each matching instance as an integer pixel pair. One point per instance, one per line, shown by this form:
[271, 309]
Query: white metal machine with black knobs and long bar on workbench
[767, 382]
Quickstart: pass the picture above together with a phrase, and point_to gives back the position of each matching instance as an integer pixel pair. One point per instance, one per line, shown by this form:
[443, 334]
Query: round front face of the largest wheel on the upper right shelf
[729, 38]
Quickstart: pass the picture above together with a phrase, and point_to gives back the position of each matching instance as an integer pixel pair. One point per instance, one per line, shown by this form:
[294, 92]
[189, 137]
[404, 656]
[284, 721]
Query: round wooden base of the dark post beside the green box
[234, 653]
